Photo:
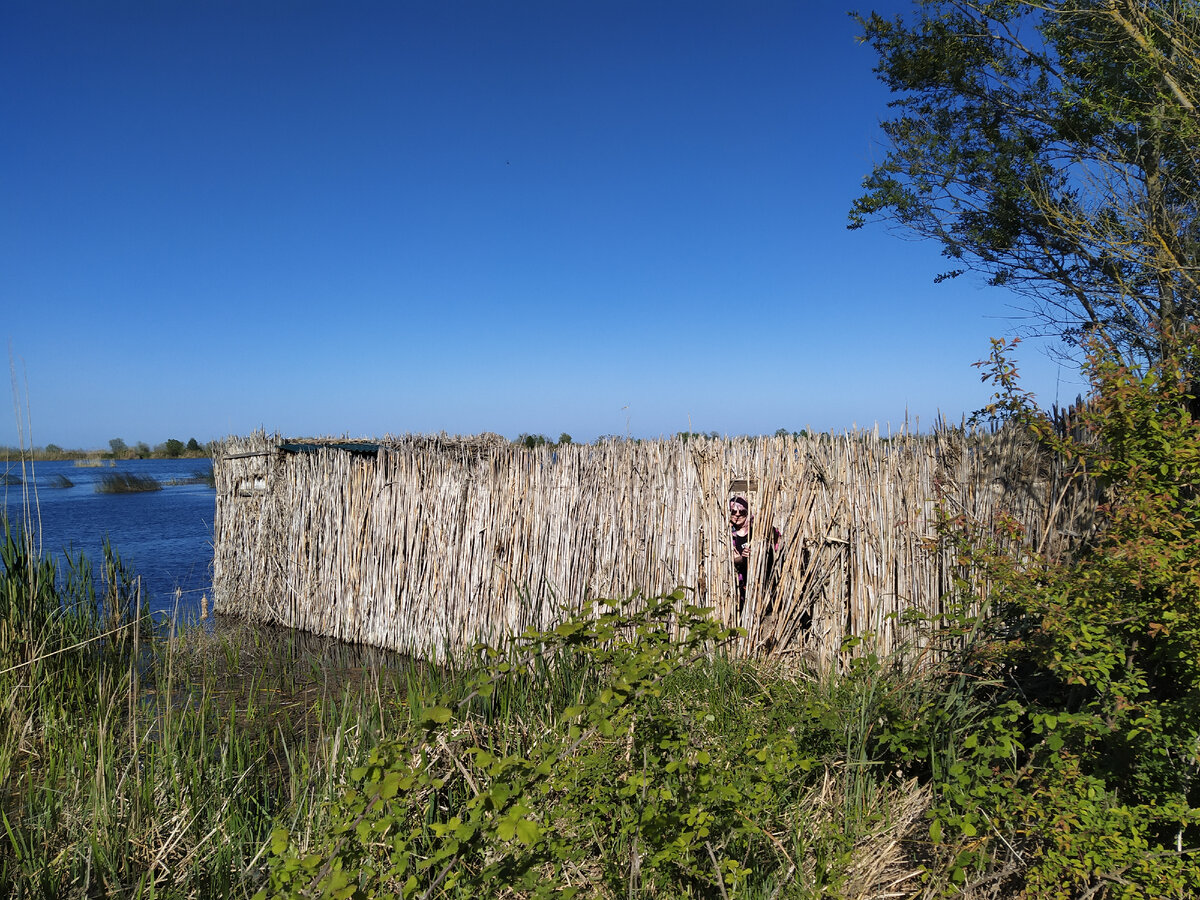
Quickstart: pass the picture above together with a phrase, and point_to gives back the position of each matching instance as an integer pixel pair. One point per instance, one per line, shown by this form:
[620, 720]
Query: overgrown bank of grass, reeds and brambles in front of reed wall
[139, 764]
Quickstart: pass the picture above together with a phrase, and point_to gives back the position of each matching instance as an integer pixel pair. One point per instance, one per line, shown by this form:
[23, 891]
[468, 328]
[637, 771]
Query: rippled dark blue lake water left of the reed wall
[166, 537]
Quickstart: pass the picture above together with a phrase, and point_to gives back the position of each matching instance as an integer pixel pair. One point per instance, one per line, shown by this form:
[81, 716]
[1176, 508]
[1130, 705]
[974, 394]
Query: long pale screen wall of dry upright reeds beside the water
[428, 545]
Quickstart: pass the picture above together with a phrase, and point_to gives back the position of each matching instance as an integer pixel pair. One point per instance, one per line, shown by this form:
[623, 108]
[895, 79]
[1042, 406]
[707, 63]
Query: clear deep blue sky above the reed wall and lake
[370, 218]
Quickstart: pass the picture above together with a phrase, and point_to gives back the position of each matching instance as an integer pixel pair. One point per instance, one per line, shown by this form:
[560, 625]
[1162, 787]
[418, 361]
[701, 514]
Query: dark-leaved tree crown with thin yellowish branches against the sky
[1053, 146]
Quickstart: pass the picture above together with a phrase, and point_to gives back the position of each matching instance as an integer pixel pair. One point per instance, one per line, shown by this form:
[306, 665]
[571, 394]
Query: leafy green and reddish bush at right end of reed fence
[1065, 751]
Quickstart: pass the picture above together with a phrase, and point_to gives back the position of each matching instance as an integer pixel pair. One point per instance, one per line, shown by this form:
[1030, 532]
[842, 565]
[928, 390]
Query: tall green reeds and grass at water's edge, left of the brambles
[143, 763]
